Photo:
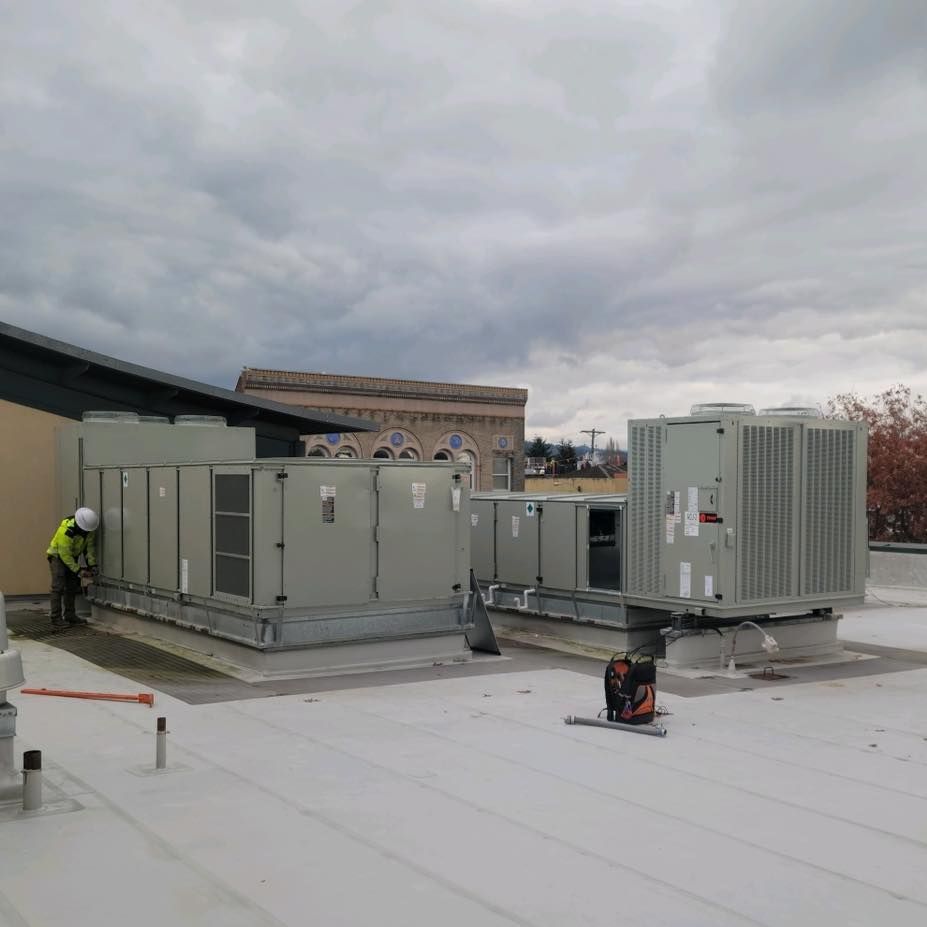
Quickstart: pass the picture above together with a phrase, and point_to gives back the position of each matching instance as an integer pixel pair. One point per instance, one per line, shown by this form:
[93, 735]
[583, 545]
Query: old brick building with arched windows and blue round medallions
[482, 425]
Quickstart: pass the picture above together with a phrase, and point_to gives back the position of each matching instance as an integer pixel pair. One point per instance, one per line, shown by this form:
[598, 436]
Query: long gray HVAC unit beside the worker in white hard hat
[273, 554]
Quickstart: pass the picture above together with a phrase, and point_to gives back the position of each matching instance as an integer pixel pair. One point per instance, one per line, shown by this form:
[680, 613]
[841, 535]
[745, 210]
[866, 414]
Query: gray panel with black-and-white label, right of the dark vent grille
[329, 558]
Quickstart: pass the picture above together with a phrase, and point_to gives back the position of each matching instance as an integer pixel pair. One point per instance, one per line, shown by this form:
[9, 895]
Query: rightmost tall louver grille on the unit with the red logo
[827, 565]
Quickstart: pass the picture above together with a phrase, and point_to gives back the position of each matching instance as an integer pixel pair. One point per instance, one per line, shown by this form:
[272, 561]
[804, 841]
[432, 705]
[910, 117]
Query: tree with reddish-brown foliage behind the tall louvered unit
[897, 496]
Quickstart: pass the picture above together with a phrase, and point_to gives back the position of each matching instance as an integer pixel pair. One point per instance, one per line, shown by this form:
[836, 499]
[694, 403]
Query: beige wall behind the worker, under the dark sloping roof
[27, 497]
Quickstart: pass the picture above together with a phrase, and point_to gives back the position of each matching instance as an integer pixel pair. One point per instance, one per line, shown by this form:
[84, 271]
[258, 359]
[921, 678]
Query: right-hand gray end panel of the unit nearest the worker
[417, 530]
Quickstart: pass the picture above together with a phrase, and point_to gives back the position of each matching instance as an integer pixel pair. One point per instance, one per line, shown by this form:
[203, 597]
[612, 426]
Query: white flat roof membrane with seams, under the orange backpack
[465, 800]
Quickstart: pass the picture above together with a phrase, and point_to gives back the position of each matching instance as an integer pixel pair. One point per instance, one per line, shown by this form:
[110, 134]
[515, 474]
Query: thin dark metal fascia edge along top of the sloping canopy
[285, 414]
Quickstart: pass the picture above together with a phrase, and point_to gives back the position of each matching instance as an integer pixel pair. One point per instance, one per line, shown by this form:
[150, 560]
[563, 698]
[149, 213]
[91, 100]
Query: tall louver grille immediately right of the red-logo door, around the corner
[766, 529]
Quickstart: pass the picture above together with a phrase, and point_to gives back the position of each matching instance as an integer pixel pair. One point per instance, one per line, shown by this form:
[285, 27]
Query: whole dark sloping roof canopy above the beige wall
[66, 380]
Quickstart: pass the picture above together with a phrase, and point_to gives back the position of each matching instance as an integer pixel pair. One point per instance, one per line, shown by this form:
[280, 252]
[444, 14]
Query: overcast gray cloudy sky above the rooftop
[624, 206]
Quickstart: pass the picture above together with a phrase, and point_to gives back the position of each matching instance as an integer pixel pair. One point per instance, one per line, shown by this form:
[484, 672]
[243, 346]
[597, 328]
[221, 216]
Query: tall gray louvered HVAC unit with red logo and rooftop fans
[738, 514]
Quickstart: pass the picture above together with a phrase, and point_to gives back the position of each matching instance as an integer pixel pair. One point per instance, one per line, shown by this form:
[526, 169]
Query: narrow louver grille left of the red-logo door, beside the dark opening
[645, 472]
